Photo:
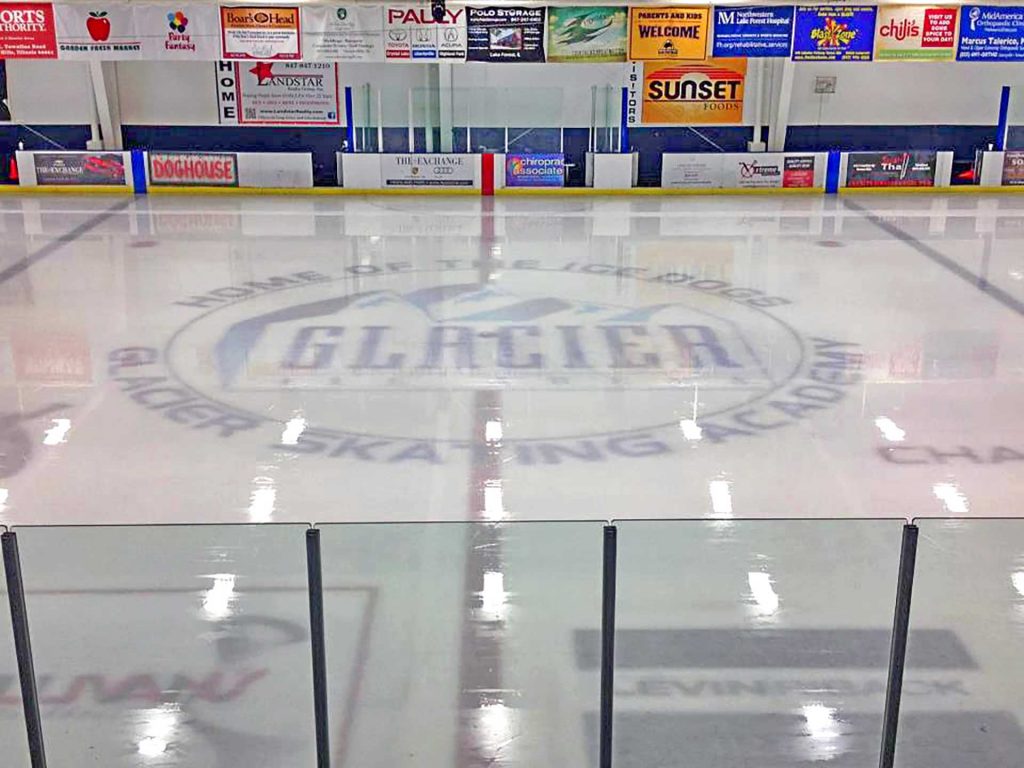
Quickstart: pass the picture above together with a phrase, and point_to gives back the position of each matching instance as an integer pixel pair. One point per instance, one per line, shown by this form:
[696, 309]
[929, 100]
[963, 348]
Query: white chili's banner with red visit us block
[916, 33]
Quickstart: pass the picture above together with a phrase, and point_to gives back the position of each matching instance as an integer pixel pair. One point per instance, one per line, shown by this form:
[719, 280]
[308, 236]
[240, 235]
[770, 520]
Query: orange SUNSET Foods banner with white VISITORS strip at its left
[709, 93]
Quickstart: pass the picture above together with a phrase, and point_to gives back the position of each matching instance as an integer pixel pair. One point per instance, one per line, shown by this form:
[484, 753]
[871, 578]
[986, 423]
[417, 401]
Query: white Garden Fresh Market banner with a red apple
[98, 32]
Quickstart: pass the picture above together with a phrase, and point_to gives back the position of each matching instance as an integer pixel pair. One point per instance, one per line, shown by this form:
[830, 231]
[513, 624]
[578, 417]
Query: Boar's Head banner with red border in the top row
[263, 32]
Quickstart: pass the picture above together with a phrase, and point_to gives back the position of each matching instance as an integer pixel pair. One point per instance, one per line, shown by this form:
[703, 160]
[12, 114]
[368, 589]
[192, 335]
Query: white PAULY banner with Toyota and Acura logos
[411, 33]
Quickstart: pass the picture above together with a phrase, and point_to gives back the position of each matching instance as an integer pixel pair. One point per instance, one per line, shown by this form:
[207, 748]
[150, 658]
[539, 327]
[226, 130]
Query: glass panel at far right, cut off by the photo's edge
[962, 699]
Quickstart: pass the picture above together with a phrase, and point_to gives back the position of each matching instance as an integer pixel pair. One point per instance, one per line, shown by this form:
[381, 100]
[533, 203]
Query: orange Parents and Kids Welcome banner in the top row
[669, 34]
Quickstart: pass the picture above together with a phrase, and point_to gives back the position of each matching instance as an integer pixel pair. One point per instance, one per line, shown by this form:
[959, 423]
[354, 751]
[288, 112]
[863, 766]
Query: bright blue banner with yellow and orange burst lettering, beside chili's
[834, 33]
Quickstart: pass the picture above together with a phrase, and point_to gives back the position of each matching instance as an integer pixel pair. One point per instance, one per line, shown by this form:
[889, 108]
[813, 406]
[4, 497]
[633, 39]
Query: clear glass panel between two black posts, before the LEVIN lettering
[752, 644]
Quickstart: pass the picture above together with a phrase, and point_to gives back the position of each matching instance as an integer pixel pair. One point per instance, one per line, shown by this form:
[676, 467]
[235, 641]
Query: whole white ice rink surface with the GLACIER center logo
[477, 365]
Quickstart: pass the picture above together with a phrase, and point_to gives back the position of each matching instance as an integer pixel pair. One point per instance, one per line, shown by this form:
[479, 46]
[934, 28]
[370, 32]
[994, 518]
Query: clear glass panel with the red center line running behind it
[453, 645]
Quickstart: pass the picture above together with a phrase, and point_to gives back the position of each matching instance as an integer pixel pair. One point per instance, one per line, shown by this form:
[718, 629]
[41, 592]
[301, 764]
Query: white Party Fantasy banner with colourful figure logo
[183, 32]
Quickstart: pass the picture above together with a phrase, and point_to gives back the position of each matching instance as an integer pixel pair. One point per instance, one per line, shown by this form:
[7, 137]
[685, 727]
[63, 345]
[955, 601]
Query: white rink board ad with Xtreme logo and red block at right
[746, 172]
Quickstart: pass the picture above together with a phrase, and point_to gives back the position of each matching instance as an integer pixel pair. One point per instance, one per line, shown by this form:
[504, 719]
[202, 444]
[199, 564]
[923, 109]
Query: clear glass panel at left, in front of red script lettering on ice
[172, 646]
